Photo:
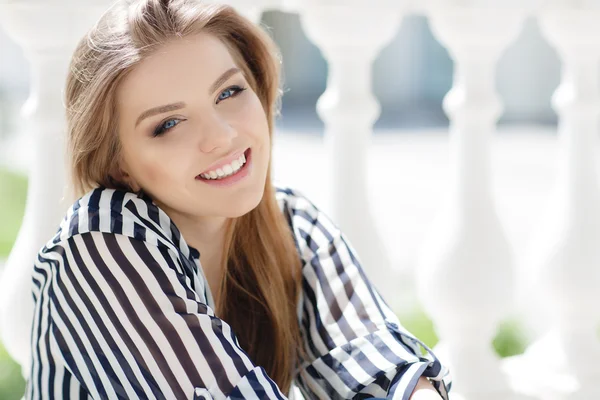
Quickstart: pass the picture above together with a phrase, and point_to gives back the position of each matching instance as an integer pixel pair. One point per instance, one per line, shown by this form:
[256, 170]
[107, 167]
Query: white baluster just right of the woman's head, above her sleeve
[350, 35]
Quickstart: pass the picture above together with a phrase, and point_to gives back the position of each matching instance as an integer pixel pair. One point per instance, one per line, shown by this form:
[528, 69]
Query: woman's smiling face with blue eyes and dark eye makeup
[187, 116]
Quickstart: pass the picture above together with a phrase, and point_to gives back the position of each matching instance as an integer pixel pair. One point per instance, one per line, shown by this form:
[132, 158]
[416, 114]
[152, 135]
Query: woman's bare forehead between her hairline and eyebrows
[180, 66]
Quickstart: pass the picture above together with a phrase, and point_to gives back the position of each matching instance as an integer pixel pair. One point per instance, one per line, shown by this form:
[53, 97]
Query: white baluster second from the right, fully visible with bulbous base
[465, 277]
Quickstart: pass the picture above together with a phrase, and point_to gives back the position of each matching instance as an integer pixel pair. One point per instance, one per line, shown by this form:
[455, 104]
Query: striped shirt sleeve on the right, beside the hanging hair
[355, 345]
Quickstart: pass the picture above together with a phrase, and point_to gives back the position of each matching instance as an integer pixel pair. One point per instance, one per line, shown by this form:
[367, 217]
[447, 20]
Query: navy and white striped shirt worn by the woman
[123, 311]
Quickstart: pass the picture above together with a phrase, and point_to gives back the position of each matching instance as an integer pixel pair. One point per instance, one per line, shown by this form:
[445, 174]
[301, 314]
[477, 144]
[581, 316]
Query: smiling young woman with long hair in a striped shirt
[181, 272]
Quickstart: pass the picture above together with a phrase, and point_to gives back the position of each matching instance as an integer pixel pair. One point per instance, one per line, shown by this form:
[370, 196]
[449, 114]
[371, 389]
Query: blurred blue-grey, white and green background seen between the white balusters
[408, 158]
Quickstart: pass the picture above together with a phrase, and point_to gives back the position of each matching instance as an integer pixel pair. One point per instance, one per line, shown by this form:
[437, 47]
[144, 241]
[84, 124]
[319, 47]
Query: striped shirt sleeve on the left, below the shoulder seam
[128, 324]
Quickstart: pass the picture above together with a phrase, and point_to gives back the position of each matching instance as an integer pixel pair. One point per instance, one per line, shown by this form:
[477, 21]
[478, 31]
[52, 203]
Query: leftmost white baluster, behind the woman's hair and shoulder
[47, 31]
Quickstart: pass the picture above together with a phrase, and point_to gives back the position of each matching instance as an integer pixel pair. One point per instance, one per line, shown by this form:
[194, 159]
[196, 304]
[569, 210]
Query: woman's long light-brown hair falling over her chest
[259, 292]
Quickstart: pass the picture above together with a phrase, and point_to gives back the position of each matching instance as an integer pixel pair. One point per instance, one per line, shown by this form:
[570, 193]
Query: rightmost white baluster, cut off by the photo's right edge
[565, 254]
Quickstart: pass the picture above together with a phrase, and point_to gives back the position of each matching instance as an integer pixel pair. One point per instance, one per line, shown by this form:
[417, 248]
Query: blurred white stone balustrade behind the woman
[467, 278]
